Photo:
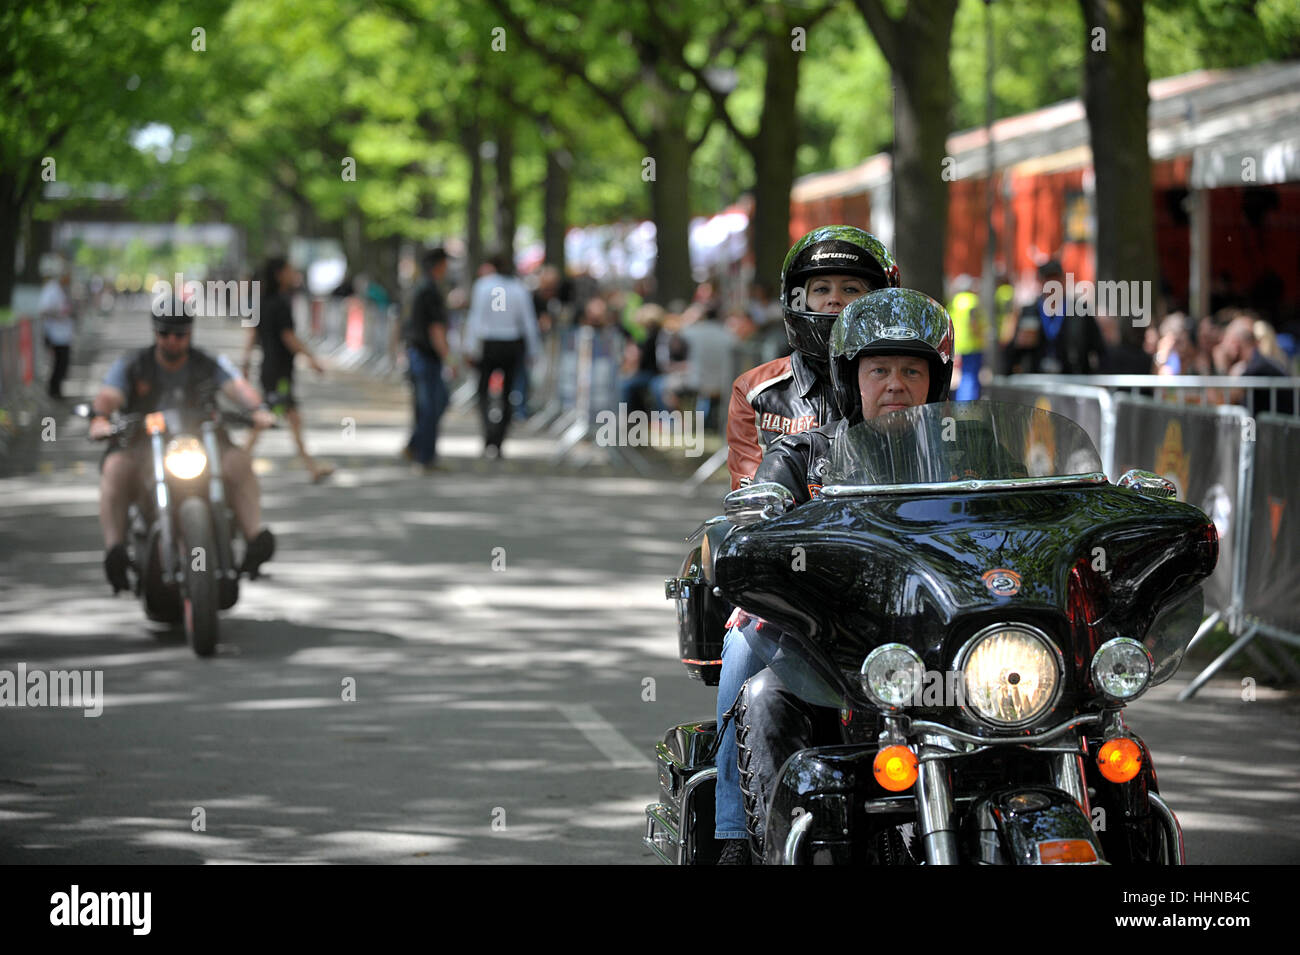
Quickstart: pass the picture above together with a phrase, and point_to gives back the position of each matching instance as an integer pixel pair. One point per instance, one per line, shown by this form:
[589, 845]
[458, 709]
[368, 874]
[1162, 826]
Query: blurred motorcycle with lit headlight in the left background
[181, 532]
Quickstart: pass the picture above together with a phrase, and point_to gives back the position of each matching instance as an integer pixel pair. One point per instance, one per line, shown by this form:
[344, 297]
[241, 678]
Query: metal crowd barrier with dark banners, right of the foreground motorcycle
[1212, 453]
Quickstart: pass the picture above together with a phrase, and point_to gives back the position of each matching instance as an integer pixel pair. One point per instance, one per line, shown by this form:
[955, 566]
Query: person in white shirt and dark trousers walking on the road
[501, 332]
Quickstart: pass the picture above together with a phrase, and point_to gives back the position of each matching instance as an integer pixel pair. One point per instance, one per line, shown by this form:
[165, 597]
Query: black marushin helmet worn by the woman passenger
[829, 251]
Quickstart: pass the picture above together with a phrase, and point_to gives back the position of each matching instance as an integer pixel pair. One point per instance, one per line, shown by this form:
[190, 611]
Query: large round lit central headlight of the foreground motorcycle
[1012, 674]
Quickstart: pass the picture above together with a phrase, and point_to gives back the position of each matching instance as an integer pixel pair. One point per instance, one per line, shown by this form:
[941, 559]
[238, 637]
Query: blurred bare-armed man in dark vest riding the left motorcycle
[164, 376]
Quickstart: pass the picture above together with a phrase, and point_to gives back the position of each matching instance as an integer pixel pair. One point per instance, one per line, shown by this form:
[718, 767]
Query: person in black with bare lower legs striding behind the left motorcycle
[280, 345]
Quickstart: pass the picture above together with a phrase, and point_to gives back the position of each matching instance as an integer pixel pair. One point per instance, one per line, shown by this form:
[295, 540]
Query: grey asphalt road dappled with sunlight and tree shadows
[502, 632]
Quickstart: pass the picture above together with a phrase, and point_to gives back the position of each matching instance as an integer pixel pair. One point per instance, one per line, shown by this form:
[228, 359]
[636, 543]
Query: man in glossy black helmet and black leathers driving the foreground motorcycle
[890, 351]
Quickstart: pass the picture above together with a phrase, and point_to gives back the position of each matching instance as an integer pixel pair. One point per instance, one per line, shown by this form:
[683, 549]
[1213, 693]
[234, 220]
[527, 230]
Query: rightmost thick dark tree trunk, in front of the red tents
[1115, 94]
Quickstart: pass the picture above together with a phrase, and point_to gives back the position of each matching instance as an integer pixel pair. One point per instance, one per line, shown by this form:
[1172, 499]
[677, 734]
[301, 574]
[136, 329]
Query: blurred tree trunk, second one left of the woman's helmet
[670, 203]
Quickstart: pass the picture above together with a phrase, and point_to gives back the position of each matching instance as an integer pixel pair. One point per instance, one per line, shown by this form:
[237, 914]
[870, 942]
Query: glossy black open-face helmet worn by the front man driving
[892, 322]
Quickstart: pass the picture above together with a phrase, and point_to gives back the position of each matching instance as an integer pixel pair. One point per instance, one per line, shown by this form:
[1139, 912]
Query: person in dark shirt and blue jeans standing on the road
[427, 354]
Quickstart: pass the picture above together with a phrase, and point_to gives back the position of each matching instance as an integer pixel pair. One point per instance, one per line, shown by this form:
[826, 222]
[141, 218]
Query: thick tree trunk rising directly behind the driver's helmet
[921, 137]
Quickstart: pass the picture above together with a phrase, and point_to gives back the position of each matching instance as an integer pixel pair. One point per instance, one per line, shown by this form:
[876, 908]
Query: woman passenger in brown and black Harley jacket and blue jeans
[824, 272]
